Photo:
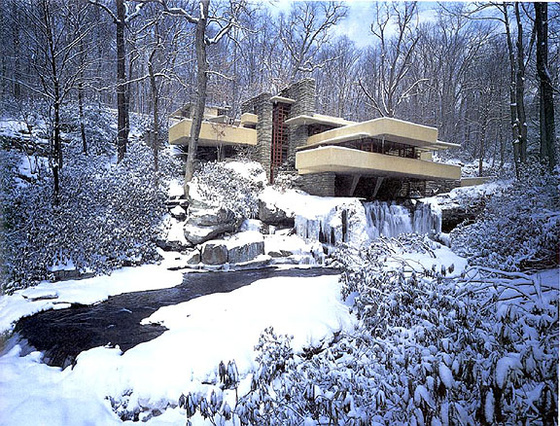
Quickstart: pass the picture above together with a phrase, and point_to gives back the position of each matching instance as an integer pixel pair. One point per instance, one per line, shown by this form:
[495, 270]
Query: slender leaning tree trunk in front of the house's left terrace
[201, 83]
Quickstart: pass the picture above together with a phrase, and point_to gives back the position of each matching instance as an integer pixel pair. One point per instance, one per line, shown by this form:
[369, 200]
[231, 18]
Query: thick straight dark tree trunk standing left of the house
[122, 106]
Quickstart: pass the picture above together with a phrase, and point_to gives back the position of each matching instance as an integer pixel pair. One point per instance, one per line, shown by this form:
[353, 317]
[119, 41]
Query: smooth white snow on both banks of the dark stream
[202, 332]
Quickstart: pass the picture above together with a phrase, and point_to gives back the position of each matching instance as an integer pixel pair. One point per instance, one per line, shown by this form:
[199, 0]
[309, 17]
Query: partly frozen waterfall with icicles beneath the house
[357, 222]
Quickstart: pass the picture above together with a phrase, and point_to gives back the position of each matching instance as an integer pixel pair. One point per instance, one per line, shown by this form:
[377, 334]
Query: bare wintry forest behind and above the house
[482, 73]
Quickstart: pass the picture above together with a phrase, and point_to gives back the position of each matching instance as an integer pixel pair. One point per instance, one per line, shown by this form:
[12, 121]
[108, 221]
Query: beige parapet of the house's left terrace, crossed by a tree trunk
[212, 134]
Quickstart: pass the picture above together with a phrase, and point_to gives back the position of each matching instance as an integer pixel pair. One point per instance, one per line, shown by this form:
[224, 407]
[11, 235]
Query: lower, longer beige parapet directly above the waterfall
[351, 161]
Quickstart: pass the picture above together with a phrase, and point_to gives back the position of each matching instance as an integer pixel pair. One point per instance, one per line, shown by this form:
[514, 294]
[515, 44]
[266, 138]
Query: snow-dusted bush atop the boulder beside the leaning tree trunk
[220, 185]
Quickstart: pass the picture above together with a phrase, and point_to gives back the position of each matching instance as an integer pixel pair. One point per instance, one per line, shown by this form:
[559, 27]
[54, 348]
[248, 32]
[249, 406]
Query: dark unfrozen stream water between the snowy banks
[61, 335]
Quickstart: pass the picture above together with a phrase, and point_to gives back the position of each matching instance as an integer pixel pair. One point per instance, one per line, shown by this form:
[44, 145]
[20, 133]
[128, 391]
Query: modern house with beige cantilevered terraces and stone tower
[381, 158]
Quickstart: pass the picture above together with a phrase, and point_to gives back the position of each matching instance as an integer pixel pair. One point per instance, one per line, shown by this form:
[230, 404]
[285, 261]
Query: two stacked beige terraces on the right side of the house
[380, 147]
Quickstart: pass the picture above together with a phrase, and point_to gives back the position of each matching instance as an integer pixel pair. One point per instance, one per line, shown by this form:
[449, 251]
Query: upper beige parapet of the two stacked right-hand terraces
[390, 128]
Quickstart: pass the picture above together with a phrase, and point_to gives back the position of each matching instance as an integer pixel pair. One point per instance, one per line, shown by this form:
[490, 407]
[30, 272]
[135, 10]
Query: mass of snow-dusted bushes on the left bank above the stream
[107, 217]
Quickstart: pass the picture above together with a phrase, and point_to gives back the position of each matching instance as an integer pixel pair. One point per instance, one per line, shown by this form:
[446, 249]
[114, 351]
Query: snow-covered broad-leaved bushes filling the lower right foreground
[428, 349]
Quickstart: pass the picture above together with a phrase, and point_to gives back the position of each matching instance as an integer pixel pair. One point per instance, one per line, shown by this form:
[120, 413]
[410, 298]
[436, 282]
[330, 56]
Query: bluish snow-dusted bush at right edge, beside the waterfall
[518, 230]
